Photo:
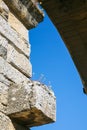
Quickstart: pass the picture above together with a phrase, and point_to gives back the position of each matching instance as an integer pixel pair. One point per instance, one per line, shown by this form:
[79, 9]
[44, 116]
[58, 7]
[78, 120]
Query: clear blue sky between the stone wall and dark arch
[49, 56]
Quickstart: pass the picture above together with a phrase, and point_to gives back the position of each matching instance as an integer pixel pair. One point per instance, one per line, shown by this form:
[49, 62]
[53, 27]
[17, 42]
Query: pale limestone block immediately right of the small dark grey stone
[19, 61]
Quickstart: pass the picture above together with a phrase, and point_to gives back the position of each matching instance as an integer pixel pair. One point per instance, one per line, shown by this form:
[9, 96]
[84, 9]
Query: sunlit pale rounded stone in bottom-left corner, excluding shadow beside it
[5, 123]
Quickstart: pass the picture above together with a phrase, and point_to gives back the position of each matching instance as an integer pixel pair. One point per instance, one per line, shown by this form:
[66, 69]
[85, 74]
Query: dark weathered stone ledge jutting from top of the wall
[26, 11]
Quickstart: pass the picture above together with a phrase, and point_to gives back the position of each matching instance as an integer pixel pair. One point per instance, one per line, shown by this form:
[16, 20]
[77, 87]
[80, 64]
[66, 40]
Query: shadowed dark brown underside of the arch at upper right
[70, 18]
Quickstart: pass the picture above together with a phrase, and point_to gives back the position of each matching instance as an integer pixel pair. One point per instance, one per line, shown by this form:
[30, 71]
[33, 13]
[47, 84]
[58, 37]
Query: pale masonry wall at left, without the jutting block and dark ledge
[14, 62]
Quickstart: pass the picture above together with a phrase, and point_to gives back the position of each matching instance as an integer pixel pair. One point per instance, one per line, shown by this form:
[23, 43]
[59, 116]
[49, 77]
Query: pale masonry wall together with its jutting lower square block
[23, 103]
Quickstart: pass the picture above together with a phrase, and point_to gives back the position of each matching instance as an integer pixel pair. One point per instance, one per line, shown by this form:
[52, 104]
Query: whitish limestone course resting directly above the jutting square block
[11, 73]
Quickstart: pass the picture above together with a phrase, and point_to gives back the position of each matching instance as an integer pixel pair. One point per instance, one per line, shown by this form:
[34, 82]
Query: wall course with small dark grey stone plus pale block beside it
[14, 57]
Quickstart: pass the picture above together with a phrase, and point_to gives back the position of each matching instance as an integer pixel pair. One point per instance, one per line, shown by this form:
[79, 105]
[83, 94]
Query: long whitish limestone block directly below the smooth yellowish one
[14, 38]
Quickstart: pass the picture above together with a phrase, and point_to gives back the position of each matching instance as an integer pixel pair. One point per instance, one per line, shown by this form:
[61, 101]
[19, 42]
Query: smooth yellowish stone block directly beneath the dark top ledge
[18, 26]
